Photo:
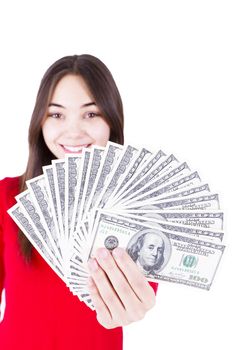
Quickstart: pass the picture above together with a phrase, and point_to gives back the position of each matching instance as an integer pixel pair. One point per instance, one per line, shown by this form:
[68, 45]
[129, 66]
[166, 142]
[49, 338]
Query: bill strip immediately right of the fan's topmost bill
[124, 161]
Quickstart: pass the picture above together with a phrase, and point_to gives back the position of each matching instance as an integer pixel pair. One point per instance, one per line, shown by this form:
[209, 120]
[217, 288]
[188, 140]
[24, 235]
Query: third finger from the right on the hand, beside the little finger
[106, 291]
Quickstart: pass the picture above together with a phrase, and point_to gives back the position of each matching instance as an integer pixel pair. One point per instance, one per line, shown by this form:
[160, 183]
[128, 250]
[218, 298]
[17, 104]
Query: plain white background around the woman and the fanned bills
[173, 64]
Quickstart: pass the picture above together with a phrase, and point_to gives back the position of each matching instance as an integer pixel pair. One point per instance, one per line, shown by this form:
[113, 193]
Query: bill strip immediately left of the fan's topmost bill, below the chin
[96, 159]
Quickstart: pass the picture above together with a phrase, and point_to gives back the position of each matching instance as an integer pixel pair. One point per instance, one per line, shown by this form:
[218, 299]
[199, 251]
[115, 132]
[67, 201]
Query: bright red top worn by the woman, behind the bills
[41, 313]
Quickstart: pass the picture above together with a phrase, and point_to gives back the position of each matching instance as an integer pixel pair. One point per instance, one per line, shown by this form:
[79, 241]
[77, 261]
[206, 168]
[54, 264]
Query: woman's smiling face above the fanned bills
[73, 120]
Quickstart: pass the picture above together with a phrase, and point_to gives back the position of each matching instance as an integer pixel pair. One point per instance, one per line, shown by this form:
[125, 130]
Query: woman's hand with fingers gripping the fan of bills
[120, 292]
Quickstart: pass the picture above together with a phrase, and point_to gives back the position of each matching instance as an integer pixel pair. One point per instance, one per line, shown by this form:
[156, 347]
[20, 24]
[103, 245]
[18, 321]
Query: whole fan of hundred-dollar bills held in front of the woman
[151, 204]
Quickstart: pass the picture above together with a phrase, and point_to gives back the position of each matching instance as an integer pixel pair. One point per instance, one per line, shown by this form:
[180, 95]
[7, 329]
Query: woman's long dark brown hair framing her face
[105, 93]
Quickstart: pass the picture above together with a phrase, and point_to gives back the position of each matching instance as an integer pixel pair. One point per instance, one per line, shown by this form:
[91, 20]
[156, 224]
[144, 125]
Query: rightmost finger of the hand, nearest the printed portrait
[135, 277]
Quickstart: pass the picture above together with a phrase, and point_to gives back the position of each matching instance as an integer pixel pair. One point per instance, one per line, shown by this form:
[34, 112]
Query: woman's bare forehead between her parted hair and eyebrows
[71, 87]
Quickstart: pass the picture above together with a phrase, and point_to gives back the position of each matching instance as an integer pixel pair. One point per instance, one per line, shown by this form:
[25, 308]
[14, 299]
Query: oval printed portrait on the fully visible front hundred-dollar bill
[151, 250]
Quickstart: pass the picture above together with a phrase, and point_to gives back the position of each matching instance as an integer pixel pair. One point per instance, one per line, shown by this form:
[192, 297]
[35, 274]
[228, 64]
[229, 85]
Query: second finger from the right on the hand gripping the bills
[127, 296]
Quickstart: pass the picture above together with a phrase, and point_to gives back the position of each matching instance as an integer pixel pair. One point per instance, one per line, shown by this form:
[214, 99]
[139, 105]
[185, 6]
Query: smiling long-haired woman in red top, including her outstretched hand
[78, 105]
